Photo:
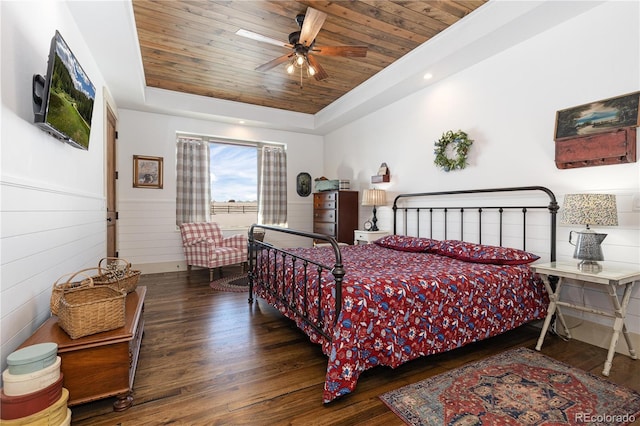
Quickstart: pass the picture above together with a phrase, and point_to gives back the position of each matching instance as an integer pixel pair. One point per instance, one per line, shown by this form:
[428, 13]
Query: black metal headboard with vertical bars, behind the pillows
[484, 216]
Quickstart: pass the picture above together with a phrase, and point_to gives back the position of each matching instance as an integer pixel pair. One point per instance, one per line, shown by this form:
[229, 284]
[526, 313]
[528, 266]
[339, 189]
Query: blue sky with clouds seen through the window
[234, 172]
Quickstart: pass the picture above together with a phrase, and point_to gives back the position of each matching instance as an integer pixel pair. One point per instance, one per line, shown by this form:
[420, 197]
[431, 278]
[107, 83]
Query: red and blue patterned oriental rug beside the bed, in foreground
[516, 387]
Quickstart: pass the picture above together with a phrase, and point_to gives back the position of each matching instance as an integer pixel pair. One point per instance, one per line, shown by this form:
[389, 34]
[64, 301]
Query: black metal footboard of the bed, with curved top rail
[273, 279]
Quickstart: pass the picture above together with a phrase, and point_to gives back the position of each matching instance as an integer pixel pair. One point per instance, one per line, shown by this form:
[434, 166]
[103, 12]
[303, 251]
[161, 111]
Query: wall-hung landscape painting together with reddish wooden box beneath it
[598, 133]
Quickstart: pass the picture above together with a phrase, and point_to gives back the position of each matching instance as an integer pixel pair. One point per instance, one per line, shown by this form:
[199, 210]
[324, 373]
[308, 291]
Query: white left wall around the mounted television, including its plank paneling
[52, 195]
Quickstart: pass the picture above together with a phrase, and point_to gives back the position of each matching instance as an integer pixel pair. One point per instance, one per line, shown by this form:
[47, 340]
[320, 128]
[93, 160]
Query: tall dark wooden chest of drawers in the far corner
[335, 213]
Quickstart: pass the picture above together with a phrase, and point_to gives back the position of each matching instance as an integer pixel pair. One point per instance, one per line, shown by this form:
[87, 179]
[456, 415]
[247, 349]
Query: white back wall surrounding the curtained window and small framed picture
[147, 234]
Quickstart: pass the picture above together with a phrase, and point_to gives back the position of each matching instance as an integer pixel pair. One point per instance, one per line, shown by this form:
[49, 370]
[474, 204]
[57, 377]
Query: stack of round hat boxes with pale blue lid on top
[33, 392]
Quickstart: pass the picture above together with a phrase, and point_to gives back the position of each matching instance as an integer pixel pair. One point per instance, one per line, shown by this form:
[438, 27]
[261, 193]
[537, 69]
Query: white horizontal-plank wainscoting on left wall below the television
[46, 233]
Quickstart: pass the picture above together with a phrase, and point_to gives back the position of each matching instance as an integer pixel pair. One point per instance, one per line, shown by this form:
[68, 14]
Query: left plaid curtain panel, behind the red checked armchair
[193, 193]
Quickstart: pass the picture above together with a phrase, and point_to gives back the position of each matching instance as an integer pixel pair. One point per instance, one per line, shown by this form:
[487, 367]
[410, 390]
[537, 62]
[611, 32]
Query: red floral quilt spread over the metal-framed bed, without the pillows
[399, 305]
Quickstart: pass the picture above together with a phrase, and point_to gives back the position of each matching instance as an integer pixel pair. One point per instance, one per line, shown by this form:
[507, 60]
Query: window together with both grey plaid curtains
[234, 184]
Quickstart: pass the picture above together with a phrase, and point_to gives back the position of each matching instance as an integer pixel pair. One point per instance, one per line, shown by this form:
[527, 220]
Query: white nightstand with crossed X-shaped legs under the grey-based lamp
[612, 276]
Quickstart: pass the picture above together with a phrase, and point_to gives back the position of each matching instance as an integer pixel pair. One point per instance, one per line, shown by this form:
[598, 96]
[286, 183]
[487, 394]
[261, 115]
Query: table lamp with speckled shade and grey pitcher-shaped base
[589, 209]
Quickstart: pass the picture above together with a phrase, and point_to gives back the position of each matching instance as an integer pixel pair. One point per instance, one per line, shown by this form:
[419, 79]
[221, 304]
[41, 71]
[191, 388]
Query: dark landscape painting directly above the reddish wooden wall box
[598, 117]
